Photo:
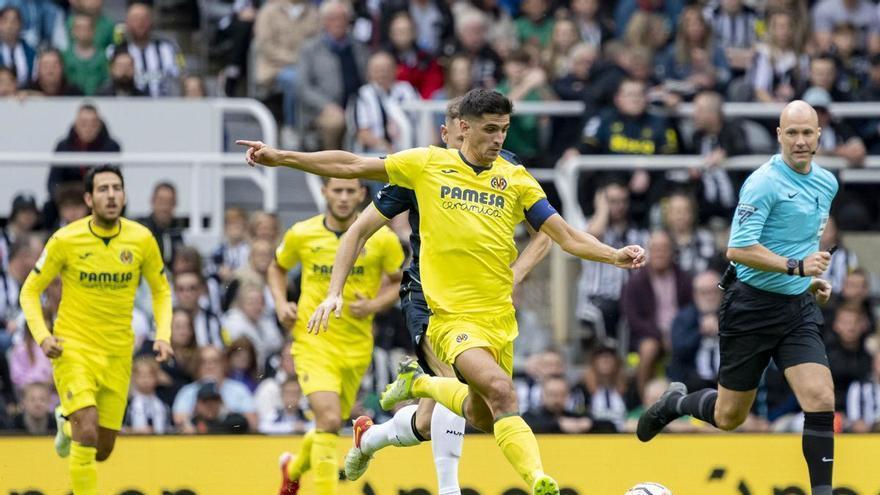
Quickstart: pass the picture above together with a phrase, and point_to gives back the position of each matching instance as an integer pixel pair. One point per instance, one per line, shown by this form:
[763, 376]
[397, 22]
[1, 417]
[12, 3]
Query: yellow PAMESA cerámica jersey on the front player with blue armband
[467, 221]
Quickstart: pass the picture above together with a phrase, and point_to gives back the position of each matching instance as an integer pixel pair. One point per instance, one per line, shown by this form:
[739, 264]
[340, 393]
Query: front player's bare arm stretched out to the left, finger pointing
[334, 163]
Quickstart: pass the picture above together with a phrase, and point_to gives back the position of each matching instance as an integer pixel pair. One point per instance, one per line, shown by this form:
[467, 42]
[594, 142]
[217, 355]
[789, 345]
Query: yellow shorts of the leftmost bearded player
[84, 379]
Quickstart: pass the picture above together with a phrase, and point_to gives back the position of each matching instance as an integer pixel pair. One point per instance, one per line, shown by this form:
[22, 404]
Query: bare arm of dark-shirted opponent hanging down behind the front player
[351, 243]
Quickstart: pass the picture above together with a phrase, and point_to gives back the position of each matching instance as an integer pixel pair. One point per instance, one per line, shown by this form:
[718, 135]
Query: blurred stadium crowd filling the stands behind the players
[339, 75]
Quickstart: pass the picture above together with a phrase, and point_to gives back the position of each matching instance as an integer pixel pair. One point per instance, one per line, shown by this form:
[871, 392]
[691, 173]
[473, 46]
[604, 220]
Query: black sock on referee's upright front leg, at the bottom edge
[818, 446]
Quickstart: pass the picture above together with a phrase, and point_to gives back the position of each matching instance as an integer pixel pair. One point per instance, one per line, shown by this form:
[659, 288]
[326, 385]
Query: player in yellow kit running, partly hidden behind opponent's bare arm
[330, 363]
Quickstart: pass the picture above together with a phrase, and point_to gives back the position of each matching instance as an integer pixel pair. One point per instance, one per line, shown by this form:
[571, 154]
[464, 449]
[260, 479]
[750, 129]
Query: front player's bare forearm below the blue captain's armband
[585, 246]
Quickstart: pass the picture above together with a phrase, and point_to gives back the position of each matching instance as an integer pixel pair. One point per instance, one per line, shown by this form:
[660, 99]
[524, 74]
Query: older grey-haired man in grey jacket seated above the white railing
[331, 69]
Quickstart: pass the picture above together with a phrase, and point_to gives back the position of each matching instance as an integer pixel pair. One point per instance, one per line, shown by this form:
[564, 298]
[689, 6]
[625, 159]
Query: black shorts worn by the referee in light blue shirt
[756, 325]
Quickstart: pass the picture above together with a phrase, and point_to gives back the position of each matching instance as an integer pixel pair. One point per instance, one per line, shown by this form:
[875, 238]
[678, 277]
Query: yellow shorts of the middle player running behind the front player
[330, 372]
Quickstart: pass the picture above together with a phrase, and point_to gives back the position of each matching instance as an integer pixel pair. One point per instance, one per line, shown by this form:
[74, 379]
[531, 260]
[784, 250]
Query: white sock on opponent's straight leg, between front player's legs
[447, 437]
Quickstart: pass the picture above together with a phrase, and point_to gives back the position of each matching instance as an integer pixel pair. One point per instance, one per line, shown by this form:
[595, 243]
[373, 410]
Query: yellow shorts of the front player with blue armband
[450, 335]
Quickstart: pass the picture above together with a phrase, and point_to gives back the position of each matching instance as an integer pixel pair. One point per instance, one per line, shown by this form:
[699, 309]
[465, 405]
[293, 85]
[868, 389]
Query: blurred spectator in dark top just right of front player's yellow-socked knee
[554, 415]
